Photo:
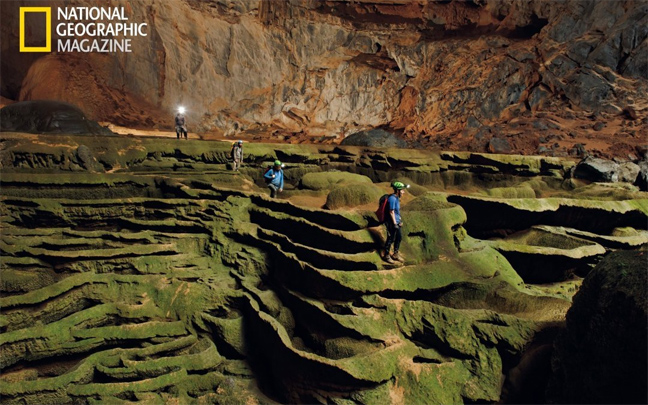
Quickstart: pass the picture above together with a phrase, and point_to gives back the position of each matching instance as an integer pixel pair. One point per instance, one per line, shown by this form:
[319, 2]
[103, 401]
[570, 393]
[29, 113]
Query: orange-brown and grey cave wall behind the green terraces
[538, 76]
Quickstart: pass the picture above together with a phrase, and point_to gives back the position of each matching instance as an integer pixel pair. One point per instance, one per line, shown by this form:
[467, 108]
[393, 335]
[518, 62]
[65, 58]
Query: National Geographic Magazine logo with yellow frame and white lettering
[85, 29]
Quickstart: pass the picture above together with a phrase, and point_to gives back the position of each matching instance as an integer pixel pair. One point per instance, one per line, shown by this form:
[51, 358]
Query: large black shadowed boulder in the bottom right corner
[601, 355]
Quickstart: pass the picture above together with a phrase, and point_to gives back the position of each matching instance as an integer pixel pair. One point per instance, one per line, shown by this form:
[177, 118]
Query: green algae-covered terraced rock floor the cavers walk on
[165, 277]
